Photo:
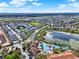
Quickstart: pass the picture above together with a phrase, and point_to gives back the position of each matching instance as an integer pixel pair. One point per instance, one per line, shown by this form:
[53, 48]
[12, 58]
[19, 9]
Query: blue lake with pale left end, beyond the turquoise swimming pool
[61, 35]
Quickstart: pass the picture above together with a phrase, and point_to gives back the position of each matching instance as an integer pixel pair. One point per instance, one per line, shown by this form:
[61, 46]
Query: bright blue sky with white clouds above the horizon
[39, 6]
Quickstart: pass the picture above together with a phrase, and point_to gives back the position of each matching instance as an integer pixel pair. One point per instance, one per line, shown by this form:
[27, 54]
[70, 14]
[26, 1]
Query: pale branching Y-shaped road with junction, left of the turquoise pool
[19, 45]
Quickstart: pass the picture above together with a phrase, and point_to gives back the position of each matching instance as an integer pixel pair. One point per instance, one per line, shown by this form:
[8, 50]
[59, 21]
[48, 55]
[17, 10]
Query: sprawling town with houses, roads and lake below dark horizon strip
[46, 37]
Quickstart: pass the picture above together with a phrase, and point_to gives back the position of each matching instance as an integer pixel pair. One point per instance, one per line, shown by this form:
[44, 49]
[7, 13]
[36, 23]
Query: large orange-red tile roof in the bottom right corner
[66, 55]
